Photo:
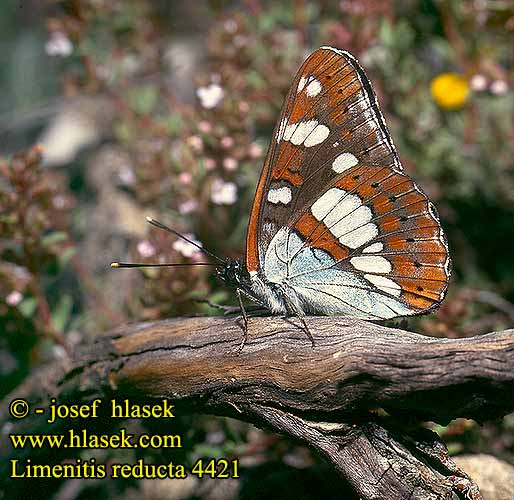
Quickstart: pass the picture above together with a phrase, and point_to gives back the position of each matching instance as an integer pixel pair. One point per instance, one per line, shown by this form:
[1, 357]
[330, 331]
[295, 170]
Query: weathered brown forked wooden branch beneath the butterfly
[326, 396]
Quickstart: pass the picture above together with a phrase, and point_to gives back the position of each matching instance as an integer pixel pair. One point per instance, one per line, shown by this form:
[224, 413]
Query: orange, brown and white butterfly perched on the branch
[337, 227]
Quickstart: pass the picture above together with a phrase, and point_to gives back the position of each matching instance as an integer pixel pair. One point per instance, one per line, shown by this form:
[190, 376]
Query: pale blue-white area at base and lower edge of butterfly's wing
[312, 274]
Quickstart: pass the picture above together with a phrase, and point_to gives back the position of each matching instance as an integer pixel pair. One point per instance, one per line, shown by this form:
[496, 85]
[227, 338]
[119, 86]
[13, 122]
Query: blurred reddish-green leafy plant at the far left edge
[34, 251]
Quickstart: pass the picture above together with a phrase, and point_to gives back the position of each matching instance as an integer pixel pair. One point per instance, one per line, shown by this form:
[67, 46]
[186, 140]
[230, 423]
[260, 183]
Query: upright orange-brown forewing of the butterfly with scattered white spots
[329, 95]
